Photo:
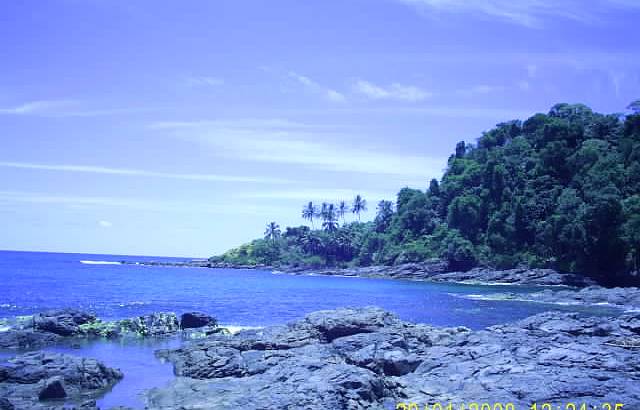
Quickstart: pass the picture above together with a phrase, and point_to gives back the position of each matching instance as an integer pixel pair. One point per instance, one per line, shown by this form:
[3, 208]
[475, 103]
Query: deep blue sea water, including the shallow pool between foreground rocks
[33, 282]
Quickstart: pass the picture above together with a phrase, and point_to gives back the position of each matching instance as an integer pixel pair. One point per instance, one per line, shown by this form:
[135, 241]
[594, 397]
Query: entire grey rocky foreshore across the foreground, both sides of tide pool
[360, 358]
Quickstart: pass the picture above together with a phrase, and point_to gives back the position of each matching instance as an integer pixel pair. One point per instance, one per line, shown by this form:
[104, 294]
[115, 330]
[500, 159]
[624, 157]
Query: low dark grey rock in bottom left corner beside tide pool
[31, 380]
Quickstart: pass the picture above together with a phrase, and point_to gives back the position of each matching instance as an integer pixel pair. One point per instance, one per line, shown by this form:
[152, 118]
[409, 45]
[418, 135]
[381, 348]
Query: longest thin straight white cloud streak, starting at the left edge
[91, 169]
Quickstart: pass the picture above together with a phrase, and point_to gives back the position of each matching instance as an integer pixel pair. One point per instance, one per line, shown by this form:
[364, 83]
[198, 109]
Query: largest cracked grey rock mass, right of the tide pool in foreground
[369, 359]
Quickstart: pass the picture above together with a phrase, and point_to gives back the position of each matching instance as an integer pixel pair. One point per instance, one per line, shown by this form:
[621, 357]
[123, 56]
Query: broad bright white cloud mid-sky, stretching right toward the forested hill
[306, 147]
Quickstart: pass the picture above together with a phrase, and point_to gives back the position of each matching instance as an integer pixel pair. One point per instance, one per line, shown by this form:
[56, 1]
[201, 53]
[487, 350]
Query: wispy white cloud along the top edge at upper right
[528, 13]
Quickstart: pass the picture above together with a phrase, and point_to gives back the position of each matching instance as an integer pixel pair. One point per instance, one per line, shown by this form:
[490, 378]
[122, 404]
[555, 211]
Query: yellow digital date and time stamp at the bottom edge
[508, 406]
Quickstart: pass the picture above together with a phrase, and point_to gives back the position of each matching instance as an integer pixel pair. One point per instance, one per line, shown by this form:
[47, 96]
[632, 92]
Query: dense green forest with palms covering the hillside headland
[558, 190]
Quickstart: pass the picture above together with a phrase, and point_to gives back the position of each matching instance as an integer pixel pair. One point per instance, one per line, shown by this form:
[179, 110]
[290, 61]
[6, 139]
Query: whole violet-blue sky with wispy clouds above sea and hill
[176, 128]
